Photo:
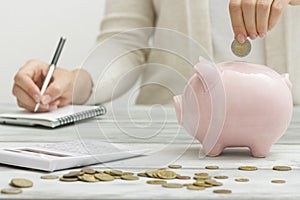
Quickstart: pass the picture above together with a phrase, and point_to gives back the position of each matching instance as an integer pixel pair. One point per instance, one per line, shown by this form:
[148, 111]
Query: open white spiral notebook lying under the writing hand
[62, 116]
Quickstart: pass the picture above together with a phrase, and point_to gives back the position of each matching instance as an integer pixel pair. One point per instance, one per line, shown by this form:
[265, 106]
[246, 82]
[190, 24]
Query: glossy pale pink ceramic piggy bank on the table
[235, 104]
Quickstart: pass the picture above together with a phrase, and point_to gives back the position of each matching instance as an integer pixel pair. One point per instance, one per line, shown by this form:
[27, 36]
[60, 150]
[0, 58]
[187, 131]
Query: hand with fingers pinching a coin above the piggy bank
[252, 18]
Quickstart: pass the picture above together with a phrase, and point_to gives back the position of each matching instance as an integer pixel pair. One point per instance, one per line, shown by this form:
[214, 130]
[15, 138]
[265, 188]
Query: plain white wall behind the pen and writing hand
[31, 29]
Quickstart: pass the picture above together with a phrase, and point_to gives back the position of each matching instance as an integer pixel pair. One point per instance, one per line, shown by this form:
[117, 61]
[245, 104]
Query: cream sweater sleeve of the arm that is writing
[124, 36]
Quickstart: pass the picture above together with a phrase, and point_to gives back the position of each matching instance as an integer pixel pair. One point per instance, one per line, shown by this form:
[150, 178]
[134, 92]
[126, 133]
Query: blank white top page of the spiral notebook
[51, 116]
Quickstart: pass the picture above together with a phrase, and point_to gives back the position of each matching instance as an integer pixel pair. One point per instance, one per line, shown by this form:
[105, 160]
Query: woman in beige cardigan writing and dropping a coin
[196, 20]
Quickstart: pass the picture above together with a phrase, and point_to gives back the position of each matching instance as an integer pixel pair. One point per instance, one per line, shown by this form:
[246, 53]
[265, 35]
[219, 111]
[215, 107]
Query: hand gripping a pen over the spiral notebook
[60, 91]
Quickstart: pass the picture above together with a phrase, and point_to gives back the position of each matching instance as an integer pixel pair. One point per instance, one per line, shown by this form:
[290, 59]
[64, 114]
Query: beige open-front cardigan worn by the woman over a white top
[164, 68]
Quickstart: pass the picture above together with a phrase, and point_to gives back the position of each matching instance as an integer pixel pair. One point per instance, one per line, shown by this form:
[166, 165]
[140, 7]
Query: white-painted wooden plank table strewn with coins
[169, 144]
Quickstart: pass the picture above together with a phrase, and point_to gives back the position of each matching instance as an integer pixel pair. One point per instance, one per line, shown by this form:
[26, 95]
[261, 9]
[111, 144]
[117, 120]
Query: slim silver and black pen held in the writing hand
[51, 69]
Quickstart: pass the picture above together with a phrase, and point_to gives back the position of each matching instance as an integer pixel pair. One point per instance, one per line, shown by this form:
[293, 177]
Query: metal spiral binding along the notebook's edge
[82, 115]
